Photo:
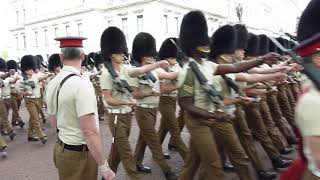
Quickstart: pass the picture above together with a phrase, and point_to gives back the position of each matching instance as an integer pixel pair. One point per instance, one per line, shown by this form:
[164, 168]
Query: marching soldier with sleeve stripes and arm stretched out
[200, 104]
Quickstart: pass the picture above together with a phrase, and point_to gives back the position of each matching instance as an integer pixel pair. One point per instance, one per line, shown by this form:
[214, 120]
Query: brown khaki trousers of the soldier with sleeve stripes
[203, 149]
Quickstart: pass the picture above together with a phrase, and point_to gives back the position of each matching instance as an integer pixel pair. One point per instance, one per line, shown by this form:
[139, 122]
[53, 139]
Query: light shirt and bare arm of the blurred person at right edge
[307, 117]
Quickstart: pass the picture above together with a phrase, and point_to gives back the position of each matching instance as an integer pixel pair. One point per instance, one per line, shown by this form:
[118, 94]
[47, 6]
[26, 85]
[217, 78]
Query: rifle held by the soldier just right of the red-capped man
[121, 84]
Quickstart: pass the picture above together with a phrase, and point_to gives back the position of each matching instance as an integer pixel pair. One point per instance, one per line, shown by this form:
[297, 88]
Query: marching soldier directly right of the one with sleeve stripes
[223, 46]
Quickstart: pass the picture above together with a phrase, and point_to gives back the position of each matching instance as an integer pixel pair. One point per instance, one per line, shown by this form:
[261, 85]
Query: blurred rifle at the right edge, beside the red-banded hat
[309, 69]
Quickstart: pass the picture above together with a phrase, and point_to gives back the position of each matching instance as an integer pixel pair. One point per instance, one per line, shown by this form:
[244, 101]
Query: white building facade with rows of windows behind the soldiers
[35, 23]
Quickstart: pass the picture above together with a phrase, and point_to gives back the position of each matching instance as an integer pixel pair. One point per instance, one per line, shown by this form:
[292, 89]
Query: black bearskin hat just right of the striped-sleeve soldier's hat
[223, 41]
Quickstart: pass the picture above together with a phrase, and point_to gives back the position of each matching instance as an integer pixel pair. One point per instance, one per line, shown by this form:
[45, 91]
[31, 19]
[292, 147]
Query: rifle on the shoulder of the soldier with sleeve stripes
[211, 91]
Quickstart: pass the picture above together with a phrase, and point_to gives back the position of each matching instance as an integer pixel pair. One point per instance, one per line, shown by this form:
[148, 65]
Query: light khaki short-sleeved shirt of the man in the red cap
[76, 98]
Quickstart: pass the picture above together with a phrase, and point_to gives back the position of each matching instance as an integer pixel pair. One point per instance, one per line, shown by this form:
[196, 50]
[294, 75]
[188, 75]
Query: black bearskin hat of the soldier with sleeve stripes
[193, 32]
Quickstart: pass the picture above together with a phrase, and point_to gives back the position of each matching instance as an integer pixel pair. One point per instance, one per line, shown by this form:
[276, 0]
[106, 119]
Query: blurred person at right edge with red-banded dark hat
[307, 110]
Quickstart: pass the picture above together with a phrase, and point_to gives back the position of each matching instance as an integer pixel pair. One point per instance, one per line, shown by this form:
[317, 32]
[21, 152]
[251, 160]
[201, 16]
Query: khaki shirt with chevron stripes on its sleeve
[190, 86]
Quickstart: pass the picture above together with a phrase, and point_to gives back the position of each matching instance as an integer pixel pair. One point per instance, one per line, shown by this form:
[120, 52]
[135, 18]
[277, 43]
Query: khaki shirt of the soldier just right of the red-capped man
[106, 83]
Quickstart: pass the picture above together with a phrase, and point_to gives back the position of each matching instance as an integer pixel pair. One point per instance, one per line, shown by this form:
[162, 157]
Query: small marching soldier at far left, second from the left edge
[16, 97]
